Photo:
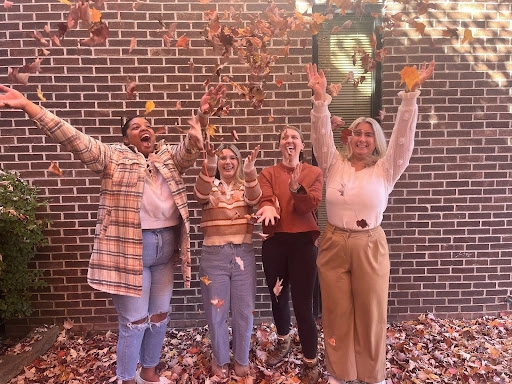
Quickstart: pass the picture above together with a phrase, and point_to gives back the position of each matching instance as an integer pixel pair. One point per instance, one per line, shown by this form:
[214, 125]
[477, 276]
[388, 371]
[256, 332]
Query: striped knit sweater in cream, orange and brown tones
[226, 209]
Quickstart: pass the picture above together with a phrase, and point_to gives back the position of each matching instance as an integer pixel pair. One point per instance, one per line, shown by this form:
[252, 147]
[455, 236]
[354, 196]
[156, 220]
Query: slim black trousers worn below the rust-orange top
[291, 257]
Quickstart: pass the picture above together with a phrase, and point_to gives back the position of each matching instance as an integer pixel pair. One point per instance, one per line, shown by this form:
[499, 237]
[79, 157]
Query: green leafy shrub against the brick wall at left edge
[20, 235]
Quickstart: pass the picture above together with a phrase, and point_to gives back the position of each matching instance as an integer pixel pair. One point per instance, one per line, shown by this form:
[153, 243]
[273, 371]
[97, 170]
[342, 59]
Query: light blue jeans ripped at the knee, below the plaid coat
[143, 341]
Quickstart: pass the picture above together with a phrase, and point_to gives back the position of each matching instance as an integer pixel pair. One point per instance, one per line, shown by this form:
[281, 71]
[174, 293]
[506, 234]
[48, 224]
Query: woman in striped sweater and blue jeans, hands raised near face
[228, 268]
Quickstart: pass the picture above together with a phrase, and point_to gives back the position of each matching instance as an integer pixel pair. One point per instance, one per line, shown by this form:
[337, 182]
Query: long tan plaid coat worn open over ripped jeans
[116, 261]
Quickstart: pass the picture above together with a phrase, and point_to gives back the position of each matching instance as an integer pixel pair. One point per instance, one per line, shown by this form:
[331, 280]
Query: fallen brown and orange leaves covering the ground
[425, 350]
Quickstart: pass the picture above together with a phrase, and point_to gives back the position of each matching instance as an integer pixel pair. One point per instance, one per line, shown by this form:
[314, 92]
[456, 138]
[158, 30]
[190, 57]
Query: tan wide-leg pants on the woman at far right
[353, 268]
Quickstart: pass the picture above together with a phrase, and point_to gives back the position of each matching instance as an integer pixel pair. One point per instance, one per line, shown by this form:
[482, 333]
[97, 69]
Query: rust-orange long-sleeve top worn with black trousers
[297, 210]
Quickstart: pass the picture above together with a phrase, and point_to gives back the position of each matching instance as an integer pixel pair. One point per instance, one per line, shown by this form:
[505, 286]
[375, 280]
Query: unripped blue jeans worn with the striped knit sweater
[236, 287]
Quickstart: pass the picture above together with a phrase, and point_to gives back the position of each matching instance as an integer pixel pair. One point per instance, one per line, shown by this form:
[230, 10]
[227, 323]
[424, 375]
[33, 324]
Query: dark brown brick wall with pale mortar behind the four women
[448, 222]
